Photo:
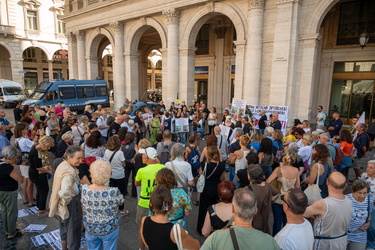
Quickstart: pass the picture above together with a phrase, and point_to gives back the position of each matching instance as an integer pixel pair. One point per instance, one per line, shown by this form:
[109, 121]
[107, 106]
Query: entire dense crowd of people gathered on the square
[236, 180]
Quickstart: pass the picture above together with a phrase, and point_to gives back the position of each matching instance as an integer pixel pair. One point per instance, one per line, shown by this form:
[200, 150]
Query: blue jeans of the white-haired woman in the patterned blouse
[109, 241]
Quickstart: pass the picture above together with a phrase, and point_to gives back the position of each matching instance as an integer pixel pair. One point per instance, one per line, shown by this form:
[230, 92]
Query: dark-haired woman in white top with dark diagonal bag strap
[116, 158]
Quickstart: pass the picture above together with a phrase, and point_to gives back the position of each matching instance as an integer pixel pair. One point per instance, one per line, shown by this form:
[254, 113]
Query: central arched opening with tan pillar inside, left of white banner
[215, 62]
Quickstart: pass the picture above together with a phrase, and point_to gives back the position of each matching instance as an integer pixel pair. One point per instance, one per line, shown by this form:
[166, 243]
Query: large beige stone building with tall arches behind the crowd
[295, 53]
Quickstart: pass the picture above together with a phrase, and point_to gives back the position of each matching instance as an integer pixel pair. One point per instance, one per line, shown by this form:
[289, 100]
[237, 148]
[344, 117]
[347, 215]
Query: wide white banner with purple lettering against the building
[281, 110]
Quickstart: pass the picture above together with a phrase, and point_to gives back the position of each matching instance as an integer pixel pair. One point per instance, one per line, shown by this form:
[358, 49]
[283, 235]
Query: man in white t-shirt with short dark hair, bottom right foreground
[297, 233]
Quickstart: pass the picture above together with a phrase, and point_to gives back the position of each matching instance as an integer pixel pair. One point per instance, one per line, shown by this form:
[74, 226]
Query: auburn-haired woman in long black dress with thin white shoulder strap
[213, 170]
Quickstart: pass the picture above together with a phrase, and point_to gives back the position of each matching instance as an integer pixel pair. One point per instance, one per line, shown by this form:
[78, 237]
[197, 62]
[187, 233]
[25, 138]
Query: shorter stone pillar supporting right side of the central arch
[239, 74]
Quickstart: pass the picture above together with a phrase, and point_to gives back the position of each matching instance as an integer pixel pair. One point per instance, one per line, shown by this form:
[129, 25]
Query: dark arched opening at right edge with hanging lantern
[345, 69]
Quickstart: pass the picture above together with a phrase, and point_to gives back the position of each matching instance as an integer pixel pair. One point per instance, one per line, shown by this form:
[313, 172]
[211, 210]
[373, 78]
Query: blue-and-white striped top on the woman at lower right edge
[359, 217]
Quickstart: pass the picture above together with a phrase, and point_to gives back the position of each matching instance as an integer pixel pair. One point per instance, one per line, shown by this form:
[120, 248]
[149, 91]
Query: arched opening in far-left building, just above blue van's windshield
[35, 65]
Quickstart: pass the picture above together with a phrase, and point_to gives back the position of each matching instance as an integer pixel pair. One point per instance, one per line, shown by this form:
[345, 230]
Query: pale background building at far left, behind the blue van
[33, 46]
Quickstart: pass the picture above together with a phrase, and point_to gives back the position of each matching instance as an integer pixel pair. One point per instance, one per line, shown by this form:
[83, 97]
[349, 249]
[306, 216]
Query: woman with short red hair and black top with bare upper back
[219, 215]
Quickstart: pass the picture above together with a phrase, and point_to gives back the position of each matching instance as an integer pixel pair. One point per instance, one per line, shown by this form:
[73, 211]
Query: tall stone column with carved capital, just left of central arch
[170, 89]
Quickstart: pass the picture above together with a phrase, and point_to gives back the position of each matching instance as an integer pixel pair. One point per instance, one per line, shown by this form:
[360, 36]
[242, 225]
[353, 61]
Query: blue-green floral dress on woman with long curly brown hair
[181, 204]
